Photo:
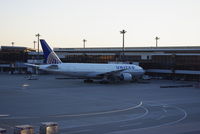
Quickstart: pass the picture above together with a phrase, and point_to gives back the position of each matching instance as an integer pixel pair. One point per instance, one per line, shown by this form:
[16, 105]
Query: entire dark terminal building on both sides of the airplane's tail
[165, 62]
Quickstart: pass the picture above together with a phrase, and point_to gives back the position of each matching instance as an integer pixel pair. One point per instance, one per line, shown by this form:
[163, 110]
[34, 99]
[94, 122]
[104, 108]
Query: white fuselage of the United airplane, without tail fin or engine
[92, 70]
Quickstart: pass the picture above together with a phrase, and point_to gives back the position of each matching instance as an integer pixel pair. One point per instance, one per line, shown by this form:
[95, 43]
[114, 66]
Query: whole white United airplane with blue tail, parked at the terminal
[88, 71]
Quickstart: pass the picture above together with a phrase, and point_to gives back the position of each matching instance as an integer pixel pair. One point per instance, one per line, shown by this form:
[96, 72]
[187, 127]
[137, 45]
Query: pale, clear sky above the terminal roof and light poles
[65, 23]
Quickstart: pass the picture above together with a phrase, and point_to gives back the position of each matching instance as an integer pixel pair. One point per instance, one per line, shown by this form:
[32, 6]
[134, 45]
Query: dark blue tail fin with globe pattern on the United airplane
[49, 55]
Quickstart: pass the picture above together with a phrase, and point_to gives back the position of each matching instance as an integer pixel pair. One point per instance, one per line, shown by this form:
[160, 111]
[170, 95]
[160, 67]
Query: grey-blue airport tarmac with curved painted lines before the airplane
[93, 108]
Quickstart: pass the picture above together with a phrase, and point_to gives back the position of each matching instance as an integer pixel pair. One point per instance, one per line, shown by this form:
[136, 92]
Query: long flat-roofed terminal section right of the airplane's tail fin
[168, 62]
